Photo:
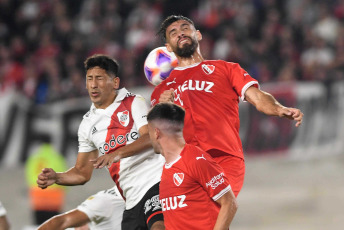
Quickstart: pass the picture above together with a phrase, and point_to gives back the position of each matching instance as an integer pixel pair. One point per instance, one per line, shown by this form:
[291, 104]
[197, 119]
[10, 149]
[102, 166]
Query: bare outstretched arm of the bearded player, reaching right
[266, 103]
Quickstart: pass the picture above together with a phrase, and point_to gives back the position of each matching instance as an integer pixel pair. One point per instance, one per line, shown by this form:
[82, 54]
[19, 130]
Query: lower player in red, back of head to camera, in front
[194, 191]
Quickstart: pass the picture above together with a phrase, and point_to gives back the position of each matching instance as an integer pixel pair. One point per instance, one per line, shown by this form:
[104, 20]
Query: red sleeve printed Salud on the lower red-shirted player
[209, 175]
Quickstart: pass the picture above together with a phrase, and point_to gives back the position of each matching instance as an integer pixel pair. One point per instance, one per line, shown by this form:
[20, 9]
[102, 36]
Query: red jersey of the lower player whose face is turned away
[189, 189]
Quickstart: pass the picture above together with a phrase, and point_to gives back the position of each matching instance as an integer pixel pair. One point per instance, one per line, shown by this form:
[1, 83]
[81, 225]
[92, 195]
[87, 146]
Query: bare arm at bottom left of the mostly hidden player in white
[73, 218]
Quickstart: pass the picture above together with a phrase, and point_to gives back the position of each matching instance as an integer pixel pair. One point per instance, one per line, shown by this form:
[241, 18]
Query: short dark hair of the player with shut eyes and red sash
[107, 63]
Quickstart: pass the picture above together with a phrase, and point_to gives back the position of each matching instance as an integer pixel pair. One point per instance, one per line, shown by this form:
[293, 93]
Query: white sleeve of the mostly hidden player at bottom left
[102, 205]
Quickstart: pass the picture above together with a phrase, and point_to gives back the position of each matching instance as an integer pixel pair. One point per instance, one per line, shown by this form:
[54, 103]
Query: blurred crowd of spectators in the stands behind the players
[43, 43]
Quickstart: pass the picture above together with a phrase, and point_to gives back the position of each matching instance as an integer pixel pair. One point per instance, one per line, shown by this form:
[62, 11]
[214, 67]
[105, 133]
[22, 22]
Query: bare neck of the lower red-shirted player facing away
[172, 149]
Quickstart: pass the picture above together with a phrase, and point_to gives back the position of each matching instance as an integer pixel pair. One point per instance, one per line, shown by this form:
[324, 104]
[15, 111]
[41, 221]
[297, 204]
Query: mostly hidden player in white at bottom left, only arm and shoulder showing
[101, 211]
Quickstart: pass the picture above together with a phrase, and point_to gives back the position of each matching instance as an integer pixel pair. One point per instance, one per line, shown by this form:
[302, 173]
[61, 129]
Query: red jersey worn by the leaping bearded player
[209, 92]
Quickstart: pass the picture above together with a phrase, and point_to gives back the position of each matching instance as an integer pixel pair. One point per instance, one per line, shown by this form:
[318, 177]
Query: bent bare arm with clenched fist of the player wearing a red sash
[77, 175]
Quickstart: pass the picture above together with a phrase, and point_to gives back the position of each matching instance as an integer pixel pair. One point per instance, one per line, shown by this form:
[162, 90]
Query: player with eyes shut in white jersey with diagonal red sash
[116, 128]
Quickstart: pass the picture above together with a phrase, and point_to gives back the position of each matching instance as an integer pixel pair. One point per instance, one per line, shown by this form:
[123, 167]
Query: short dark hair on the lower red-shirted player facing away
[167, 111]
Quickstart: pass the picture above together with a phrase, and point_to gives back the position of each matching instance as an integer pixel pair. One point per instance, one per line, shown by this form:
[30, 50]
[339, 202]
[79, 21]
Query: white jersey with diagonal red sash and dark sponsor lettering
[116, 126]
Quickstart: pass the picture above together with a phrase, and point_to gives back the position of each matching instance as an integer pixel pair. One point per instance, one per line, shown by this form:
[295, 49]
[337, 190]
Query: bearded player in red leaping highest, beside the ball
[209, 91]
